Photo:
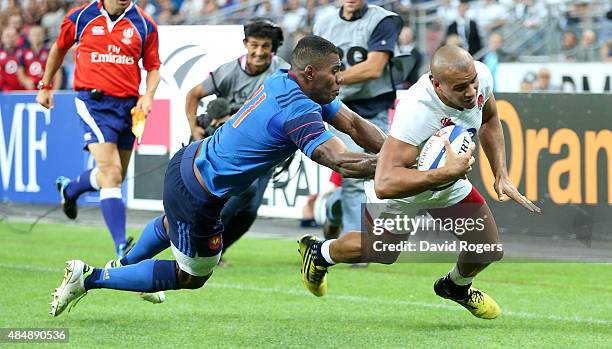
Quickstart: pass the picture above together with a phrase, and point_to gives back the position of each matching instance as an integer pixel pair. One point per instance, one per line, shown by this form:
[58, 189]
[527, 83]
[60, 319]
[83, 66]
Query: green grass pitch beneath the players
[259, 301]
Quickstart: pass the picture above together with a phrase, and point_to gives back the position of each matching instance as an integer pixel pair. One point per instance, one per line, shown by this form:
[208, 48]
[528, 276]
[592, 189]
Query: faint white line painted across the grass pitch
[350, 298]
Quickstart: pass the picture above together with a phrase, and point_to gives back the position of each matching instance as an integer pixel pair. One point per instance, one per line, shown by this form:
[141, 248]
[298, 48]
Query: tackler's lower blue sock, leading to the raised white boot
[150, 275]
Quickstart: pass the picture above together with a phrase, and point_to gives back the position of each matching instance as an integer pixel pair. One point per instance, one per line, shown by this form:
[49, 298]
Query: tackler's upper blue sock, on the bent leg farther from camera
[152, 241]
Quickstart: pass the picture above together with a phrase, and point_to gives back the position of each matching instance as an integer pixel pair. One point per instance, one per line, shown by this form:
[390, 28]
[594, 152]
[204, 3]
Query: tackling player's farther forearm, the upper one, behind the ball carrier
[364, 133]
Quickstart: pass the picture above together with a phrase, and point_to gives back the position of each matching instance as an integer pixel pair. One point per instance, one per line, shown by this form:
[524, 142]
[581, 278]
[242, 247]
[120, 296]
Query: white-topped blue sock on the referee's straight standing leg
[113, 210]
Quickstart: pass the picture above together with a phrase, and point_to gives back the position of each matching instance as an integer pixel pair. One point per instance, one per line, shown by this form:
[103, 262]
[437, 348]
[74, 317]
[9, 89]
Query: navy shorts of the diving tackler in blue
[193, 214]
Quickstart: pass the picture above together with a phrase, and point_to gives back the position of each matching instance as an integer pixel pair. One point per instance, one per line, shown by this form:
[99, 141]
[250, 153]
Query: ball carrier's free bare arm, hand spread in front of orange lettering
[491, 137]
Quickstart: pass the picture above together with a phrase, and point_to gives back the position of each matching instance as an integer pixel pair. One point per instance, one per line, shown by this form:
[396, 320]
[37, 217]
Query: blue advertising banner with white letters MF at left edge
[38, 145]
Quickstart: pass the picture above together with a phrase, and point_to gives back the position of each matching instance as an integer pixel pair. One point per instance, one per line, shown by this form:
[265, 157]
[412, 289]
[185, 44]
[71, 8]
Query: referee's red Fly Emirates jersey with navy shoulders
[108, 52]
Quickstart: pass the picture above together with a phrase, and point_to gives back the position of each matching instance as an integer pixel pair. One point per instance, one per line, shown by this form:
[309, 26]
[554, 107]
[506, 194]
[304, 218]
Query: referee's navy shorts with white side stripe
[106, 120]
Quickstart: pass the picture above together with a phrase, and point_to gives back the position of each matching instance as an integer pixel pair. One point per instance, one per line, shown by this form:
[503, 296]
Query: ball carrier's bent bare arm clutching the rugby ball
[396, 179]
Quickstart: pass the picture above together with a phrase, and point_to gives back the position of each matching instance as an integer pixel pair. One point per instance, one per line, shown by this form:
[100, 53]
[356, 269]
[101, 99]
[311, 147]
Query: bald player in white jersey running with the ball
[458, 90]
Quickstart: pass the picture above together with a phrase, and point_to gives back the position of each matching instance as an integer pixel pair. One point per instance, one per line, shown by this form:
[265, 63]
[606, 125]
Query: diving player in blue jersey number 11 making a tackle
[285, 114]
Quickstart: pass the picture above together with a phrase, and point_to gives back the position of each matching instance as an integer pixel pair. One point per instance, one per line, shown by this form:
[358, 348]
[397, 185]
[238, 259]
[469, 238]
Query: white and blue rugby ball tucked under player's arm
[433, 153]
